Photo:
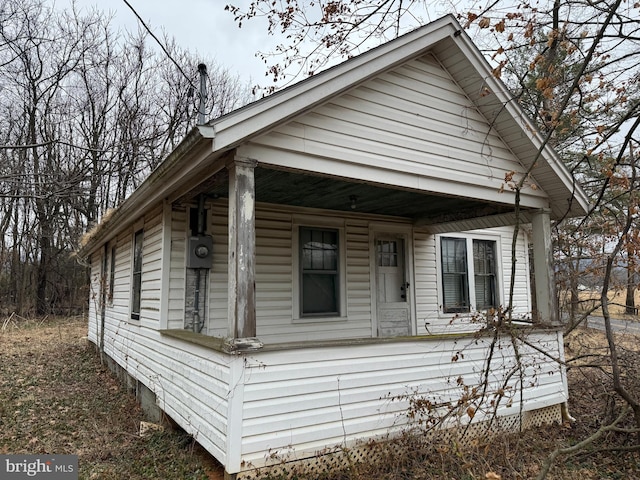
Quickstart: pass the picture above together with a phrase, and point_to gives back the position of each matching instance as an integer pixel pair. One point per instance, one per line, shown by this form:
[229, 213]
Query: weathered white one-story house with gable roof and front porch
[294, 266]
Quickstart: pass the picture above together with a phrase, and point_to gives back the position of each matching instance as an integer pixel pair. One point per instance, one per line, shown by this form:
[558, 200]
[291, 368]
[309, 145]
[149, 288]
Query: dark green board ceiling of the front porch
[284, 187]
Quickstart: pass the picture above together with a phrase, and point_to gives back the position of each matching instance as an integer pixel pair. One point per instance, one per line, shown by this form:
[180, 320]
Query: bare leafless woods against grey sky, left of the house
[86, 112]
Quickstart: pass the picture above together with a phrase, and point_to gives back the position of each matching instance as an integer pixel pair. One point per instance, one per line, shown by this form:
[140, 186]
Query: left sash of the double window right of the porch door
[455, 288]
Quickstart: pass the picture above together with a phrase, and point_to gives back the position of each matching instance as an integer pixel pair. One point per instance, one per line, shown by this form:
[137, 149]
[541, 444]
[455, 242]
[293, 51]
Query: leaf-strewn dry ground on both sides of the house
[56, 397]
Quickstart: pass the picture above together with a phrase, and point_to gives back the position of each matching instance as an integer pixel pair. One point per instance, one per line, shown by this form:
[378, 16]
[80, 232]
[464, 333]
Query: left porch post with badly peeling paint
[241, 262]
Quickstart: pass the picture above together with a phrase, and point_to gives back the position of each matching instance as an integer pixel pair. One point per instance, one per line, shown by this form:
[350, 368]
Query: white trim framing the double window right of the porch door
[469, 239]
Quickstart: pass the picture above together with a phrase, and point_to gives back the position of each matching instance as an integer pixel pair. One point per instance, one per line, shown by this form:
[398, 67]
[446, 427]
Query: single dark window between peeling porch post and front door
[319, 272]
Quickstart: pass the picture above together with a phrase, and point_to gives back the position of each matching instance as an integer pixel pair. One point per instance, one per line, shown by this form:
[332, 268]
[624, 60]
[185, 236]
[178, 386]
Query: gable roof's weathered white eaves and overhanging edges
[455, 50]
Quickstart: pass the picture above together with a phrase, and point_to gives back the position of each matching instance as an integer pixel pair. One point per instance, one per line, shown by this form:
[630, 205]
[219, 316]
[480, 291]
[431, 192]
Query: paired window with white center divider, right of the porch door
[457, 282]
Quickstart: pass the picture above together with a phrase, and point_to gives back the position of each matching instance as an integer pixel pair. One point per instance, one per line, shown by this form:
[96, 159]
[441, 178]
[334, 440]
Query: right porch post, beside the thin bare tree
[543, 268]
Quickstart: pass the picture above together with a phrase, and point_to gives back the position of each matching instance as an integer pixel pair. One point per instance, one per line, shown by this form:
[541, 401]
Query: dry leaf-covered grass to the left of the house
[56, 398]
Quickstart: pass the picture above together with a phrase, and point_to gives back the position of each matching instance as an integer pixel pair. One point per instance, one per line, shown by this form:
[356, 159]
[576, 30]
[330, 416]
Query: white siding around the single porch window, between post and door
[275, 312]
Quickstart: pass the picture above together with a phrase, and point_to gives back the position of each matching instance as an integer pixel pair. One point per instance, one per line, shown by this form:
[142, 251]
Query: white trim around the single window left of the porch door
[319, 224]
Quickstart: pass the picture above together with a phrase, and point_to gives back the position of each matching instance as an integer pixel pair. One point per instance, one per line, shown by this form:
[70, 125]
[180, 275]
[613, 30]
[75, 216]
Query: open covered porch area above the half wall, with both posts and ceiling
[256, 213]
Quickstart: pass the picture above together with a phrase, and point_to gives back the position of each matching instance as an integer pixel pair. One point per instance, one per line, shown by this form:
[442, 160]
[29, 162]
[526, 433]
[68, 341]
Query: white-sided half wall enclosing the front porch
[292, 401]
